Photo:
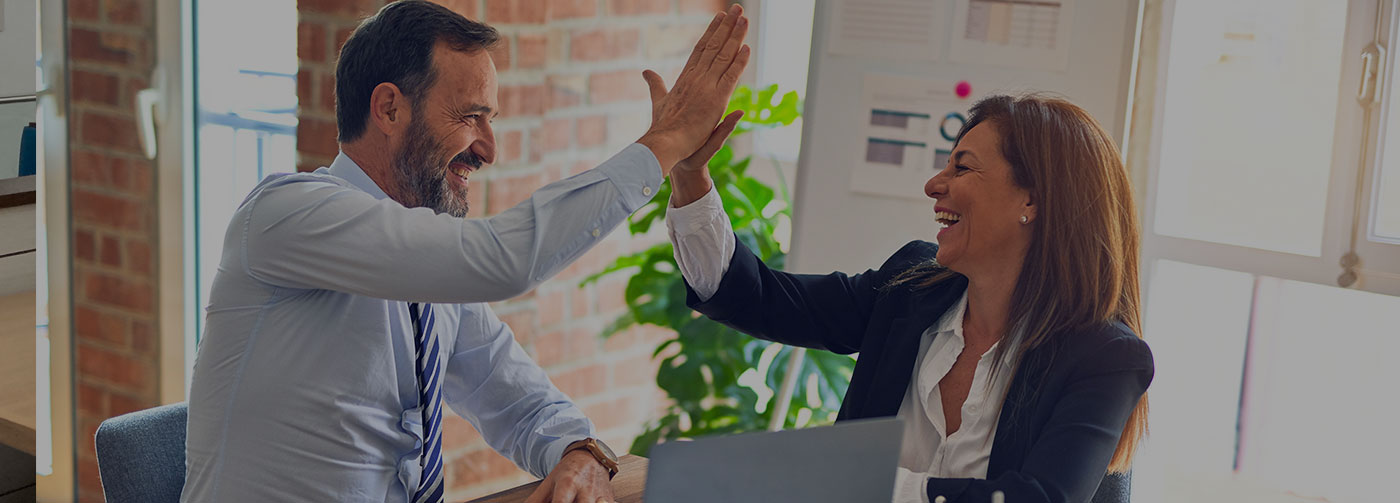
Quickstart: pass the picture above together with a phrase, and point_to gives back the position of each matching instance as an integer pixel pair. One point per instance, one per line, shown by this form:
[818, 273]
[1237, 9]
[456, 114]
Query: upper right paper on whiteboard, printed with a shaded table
[1030, 34]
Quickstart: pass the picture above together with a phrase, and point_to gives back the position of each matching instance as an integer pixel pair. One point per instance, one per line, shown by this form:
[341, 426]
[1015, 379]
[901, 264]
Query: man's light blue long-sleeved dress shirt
[304, 387]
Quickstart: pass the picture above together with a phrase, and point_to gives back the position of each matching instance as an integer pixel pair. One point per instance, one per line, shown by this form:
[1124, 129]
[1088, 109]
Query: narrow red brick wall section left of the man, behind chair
[114, 221]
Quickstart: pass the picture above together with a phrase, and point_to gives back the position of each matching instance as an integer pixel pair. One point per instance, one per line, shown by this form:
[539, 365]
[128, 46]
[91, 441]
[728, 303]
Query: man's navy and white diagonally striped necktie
[430, 394]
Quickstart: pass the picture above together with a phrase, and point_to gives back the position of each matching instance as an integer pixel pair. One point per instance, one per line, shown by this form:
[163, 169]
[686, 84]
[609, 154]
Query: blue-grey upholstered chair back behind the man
[142, 455]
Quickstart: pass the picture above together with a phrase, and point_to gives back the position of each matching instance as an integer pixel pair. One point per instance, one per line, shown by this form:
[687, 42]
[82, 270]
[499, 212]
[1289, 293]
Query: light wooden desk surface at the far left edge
[17, 372]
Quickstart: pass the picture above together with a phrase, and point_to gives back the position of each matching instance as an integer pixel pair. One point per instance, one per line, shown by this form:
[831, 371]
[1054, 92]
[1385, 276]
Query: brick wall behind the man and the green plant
[572, 96]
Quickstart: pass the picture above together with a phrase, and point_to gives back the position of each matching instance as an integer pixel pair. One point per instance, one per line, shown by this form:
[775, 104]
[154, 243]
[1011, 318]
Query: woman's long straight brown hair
[1081, 270]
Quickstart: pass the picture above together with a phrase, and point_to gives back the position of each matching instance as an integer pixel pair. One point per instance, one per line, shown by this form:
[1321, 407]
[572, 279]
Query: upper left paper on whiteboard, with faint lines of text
[899, 30]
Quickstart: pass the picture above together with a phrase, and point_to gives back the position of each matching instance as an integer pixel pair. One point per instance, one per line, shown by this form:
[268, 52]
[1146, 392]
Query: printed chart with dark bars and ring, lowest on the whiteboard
[908, 132]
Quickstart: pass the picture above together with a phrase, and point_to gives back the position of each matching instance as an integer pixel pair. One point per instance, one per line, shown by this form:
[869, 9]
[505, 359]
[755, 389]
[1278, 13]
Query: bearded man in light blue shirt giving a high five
[348, 308]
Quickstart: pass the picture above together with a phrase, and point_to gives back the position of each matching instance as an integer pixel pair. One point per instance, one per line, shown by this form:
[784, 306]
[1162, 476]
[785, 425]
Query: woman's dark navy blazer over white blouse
[1065, 410]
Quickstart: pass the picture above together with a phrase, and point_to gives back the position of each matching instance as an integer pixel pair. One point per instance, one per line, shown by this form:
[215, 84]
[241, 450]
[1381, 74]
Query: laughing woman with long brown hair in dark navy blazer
[1010, 350]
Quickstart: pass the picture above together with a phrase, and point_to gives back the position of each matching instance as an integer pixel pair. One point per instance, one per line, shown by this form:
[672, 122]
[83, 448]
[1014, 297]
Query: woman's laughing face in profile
[981, 207]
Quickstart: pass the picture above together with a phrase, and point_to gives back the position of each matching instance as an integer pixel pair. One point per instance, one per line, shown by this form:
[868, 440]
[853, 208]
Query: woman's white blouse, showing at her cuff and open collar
[705, 244]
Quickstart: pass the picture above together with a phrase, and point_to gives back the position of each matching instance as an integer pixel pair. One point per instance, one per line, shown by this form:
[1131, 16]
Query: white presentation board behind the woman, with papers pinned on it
[839, 229]
